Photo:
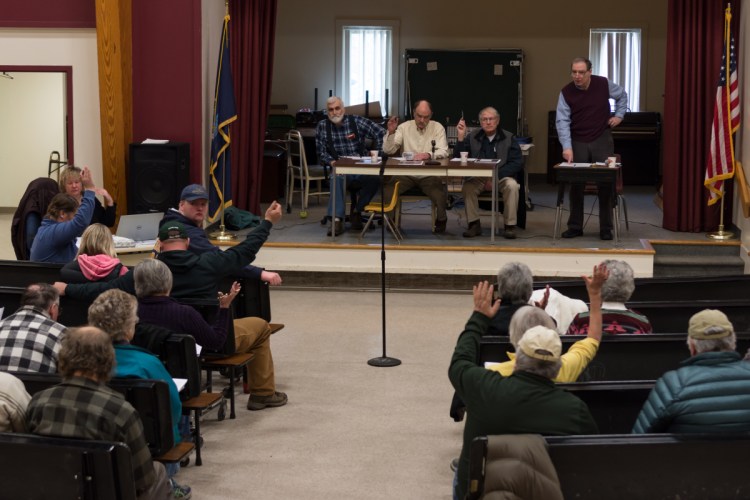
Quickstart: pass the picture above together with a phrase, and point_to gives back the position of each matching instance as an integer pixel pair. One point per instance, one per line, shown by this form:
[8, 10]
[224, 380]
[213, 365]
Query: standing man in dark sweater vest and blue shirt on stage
[584, 122]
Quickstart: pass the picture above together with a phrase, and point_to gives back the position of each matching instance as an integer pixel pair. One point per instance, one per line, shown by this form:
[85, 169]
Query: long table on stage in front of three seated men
[395, 166]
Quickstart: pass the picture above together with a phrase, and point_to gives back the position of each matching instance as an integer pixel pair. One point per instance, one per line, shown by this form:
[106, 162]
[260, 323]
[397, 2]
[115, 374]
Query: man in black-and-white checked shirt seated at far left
[30, 338]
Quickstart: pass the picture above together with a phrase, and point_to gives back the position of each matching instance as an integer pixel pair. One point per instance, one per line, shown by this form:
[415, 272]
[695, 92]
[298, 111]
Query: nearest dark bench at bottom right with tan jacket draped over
[646, 466]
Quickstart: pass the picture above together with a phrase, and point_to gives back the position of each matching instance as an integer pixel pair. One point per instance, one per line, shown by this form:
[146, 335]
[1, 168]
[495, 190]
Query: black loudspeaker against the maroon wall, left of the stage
[156, 176]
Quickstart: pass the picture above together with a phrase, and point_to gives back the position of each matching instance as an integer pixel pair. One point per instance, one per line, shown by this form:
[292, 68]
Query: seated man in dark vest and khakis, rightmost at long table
[495, 143]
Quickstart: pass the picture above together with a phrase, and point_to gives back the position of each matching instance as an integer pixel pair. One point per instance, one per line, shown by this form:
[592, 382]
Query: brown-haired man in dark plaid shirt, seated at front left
[83, 407]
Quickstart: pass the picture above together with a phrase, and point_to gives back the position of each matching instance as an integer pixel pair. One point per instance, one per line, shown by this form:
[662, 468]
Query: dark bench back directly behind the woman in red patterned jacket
[620, 357]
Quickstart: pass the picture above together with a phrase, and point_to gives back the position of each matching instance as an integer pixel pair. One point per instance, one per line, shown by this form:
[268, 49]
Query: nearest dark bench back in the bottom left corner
[40, 467]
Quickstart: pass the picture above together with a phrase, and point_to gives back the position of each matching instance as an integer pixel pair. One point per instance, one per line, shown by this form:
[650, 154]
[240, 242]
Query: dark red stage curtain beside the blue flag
[252, 33]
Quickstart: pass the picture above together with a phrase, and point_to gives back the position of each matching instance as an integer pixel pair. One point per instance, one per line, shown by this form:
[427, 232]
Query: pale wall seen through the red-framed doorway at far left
[32, 107]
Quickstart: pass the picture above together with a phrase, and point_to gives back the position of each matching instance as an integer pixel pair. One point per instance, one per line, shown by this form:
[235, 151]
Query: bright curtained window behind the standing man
[616, 54]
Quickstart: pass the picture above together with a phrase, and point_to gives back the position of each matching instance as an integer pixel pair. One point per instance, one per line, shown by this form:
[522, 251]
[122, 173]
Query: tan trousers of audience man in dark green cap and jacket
[253, 335]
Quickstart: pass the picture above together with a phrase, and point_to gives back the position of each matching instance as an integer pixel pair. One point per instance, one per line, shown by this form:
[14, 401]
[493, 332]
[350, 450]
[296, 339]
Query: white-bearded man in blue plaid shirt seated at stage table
[344, 135]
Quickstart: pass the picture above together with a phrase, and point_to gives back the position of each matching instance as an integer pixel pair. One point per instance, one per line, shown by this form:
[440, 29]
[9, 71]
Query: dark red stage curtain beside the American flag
[694, 45]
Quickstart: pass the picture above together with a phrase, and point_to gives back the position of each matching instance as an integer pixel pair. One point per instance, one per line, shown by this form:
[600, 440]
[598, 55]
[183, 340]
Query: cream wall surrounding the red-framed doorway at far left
[53, 47]
